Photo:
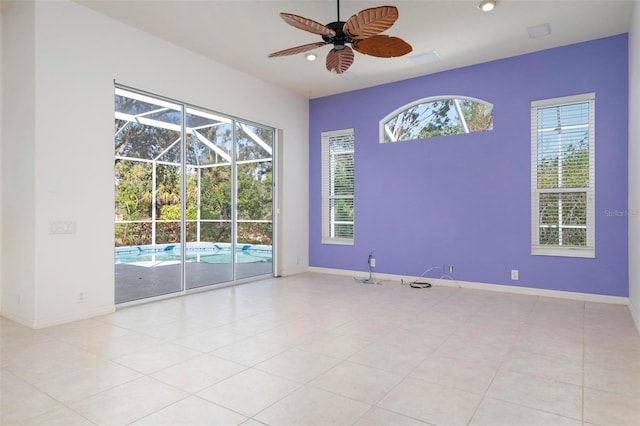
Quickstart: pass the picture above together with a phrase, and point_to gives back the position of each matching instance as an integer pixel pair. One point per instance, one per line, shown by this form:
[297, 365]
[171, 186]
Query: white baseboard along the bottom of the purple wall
[585, 297]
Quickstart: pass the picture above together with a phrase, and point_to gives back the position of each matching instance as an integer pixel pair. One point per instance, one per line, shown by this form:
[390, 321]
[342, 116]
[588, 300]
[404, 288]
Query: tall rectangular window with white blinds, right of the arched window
[562, 176]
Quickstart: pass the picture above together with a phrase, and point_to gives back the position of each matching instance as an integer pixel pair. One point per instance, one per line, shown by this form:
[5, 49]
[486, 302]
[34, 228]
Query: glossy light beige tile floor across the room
[315, 349]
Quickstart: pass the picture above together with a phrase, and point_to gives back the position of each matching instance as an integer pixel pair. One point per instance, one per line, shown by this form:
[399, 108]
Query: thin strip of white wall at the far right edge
[634, 161]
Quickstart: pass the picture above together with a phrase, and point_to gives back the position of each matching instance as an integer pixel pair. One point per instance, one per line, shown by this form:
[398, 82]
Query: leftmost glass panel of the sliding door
[148, 165]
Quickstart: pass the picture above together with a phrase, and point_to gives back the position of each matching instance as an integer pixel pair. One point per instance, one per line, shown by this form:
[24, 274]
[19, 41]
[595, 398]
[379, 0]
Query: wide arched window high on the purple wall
[436, 116]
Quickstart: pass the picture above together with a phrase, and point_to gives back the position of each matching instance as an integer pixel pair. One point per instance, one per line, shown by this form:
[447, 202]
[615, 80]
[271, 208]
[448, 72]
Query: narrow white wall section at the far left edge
[18, 166]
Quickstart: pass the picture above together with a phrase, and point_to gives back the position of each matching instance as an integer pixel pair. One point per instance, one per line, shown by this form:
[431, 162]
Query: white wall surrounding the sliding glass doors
[78, 54]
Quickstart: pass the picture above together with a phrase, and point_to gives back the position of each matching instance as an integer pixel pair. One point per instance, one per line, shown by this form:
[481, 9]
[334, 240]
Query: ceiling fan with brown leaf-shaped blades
[361, 31]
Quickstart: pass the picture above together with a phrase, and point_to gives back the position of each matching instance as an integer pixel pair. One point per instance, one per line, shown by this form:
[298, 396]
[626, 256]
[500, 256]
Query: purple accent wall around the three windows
[464, 200]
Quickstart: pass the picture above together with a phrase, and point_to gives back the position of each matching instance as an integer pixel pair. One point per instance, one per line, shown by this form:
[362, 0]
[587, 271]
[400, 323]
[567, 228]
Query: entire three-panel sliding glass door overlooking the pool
[193, 197]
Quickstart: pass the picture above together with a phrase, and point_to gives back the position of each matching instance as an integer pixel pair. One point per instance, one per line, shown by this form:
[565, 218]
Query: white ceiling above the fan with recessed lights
[241, 33]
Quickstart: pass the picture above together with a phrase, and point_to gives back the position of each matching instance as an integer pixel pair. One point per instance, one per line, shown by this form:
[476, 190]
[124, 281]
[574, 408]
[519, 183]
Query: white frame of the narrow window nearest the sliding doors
[328, 236]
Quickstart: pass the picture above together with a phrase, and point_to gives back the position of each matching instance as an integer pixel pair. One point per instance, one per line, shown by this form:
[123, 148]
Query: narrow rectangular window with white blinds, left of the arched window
[337, 187]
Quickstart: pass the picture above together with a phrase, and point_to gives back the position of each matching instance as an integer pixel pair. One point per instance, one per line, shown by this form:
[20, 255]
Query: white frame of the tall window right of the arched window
[587, 251]
